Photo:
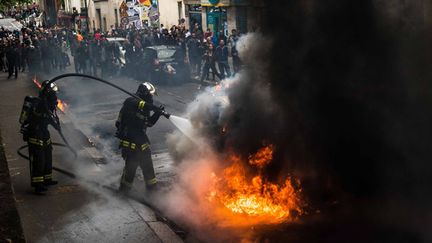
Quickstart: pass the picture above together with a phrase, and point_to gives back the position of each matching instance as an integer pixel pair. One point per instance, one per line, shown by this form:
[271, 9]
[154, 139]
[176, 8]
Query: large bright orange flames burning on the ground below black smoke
[258, 200]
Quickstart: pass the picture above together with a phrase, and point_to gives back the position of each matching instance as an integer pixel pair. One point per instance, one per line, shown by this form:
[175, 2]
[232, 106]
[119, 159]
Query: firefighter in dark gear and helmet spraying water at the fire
[133, 120]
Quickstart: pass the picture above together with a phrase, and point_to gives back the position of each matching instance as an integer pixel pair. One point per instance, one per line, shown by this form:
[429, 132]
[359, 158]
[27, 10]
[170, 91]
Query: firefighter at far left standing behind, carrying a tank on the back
[36, 115]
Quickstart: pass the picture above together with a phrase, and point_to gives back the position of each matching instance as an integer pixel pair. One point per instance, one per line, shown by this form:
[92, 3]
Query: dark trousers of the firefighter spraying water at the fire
[133, 159]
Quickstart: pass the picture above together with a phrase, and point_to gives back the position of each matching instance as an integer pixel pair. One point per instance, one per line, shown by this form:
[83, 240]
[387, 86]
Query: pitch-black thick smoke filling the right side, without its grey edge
[354, 81]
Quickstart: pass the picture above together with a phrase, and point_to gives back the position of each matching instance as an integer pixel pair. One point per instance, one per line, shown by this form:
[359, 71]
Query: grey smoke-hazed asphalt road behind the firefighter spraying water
[93, 107]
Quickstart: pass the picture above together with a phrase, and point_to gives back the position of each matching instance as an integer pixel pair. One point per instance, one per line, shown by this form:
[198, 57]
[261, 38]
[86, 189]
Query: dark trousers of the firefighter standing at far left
[40, 164]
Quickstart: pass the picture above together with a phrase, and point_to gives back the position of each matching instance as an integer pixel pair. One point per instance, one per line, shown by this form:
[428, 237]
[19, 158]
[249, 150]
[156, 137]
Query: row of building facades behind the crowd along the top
[217, 15]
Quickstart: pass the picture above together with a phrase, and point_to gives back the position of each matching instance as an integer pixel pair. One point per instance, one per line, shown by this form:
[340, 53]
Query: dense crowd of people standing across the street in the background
[53, 49]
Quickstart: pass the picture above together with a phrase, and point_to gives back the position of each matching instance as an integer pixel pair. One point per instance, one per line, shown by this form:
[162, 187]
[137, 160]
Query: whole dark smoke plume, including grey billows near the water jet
[342, 89]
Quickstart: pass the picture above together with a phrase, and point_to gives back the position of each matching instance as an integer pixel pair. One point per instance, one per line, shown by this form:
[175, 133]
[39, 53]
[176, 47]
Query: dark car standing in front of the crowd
[166, 64]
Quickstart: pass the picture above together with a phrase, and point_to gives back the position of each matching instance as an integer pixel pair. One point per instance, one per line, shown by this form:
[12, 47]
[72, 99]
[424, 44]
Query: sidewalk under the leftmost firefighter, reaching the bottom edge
[75, 210]
